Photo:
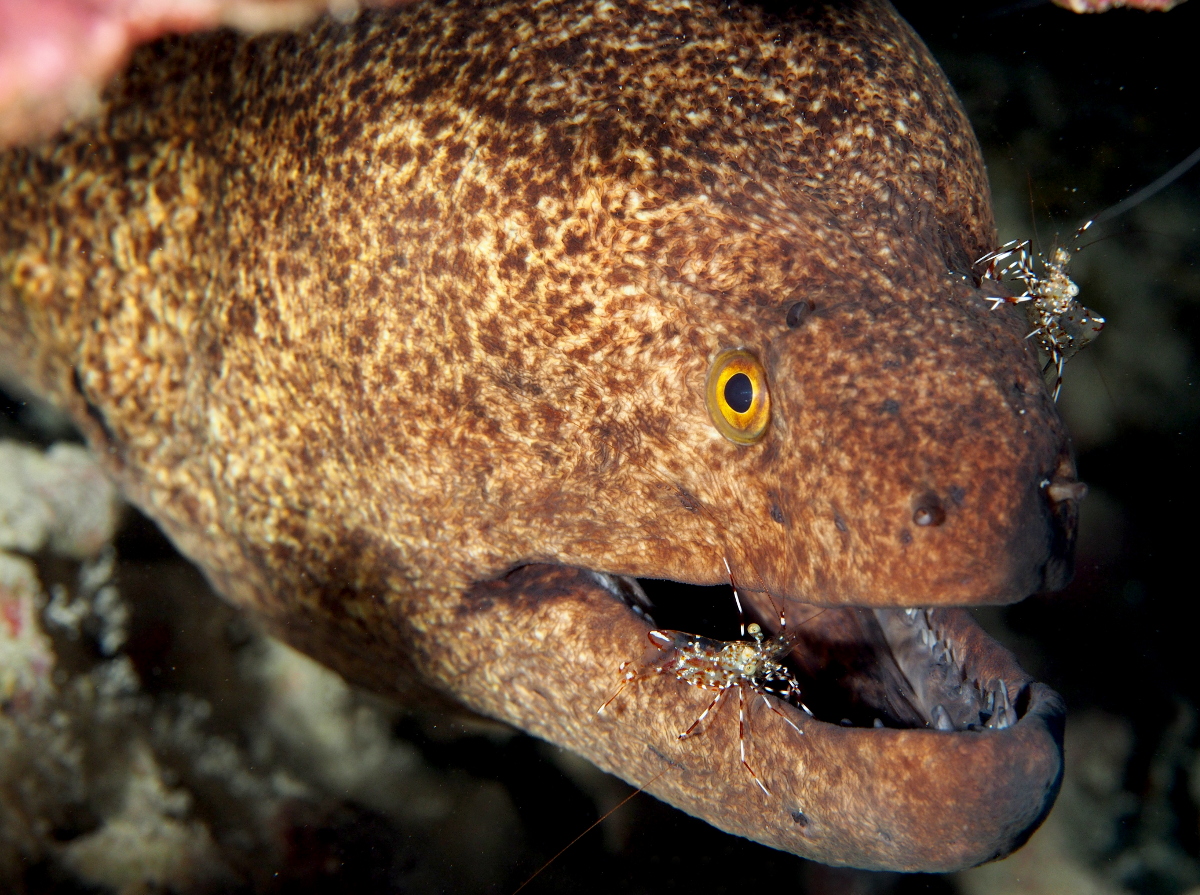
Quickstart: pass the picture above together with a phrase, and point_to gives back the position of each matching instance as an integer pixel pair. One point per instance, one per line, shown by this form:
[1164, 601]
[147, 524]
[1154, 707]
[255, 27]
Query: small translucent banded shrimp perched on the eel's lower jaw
[755, 665]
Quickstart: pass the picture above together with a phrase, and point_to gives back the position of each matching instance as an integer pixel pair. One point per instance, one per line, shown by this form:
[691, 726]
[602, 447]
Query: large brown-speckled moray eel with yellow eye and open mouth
[403, 329]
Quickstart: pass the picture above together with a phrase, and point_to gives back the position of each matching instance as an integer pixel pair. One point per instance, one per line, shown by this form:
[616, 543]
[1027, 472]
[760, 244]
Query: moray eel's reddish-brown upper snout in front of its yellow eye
[938, 472]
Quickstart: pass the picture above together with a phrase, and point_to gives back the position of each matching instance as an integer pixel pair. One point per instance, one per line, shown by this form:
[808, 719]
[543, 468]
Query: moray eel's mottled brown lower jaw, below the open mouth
[929, 749]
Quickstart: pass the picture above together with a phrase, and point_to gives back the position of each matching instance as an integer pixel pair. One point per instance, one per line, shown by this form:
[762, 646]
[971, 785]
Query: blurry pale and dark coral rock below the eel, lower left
[152, 741]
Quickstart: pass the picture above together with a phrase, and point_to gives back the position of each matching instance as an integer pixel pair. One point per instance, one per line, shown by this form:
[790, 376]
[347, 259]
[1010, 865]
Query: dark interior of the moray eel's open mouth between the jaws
[859, 668]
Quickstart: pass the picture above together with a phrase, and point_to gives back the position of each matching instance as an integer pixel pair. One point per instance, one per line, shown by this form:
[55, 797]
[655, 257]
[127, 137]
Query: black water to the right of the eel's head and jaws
[1075, 113]
